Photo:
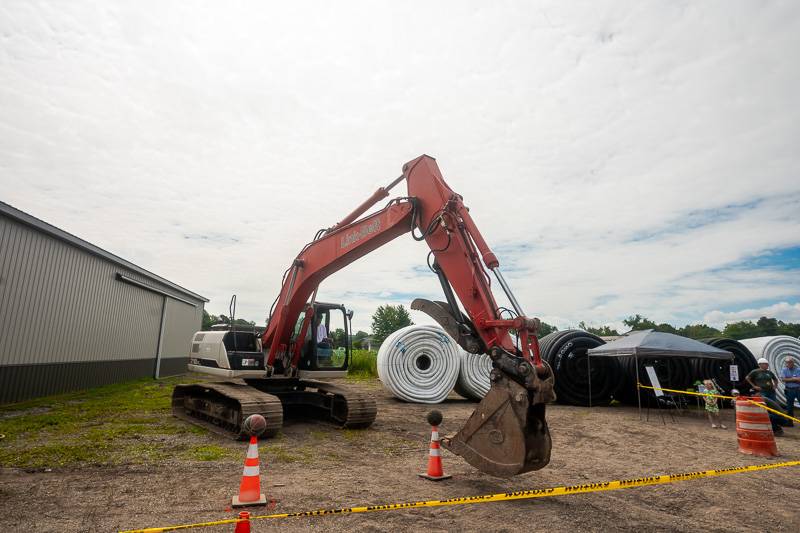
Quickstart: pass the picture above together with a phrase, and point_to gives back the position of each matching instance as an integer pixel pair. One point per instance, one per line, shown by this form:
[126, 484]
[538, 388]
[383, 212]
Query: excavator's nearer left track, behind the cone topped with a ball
[222, 407]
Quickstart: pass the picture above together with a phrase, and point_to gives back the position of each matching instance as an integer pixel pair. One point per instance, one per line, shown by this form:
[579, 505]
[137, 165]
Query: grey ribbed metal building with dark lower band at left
[73, 315]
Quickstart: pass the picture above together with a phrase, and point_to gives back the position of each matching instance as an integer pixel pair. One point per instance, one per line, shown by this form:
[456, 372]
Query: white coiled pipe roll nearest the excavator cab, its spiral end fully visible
[419, 364]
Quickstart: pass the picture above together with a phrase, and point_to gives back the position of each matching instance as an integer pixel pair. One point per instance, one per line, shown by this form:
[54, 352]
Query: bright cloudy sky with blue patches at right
[619, 157]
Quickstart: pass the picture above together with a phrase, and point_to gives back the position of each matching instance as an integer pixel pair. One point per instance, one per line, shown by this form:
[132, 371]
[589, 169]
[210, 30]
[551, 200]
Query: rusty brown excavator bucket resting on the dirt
[507, 433]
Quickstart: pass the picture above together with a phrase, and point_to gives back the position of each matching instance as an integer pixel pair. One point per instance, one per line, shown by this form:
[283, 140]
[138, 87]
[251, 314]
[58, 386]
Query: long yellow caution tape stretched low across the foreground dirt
[503, 496]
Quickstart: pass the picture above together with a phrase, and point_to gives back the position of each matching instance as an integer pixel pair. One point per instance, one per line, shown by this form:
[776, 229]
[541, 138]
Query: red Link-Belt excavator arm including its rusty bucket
[507, 434]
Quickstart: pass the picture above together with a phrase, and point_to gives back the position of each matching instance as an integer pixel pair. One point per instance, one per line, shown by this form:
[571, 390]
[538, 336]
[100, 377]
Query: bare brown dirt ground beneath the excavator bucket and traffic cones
[340, 468]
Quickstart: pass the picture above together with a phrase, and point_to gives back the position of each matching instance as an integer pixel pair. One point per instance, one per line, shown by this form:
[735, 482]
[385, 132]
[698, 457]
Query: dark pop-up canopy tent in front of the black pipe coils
[650, 344]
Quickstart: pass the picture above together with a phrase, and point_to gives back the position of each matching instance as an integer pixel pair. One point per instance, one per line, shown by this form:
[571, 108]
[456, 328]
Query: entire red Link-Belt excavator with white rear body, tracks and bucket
[274, 373]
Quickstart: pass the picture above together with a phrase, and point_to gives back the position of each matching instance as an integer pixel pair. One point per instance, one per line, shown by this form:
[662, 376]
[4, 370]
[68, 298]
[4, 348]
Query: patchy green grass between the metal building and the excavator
[114, 424]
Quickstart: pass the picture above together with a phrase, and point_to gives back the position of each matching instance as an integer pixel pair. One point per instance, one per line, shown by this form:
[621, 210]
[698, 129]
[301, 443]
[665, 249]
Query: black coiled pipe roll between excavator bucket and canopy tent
[565, 351]
